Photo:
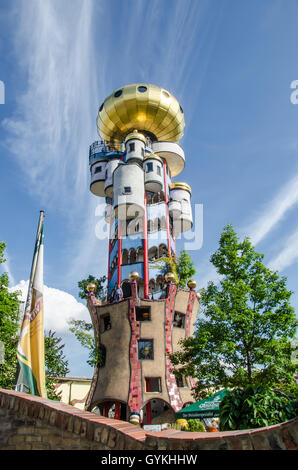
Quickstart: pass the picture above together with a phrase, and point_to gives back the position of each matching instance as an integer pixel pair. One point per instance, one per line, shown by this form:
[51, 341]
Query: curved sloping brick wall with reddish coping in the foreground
[29, 422]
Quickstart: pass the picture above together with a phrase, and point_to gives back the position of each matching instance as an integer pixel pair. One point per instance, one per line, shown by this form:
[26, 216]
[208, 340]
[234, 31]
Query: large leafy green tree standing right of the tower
[243, 336]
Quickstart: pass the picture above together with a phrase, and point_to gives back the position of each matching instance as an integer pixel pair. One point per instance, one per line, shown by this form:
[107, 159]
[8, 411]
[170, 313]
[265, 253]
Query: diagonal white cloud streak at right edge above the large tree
[273, 213]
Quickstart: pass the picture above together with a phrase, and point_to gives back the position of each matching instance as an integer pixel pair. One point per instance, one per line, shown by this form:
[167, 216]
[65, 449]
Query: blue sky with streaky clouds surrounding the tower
[230, 64]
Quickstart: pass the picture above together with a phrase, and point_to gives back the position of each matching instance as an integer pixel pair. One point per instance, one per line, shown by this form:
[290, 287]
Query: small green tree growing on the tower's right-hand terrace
[183, 268]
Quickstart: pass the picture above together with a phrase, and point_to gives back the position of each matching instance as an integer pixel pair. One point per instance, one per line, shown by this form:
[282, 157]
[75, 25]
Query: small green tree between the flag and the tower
[56, 364]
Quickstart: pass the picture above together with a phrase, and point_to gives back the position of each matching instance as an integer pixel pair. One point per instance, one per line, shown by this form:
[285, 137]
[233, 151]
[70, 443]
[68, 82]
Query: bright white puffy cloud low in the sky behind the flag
[59, 307]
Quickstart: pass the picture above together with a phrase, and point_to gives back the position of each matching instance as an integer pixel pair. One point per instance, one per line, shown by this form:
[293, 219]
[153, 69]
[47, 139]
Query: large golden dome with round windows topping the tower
[145, 107]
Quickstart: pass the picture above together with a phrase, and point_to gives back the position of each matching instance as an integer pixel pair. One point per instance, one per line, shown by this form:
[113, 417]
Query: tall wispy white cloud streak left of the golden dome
[54, 121]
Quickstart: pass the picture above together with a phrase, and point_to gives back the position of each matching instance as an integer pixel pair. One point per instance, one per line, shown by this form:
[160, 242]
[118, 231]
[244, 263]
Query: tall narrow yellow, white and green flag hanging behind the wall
[30, 351]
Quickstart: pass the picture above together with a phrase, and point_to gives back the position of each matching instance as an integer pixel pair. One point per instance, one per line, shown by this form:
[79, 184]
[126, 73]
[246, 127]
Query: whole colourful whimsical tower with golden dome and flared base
[134, 168]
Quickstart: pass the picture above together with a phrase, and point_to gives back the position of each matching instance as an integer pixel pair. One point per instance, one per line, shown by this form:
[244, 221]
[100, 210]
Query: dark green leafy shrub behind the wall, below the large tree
[254, 407]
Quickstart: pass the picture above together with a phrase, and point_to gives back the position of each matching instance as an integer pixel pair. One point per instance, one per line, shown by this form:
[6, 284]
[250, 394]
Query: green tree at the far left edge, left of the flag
[9, 328]
